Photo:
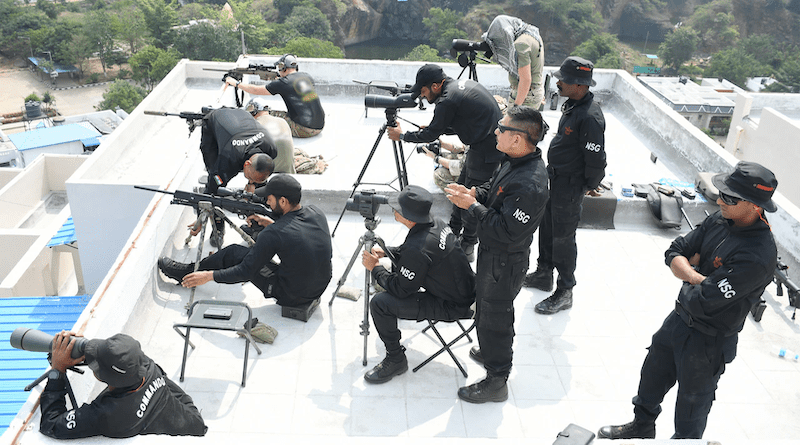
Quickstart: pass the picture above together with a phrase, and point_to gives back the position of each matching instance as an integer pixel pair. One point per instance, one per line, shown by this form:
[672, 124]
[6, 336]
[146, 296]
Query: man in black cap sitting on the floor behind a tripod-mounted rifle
[299, 236]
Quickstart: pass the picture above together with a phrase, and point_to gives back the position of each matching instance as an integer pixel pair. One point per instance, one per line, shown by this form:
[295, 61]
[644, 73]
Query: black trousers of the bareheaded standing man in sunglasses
[499, 280]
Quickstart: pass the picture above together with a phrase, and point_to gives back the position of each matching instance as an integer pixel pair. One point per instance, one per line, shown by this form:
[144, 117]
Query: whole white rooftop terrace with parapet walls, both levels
[580, 366]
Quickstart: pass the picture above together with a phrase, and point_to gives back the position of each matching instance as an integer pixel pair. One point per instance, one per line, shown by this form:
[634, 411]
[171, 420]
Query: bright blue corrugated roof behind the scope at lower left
[19, 368]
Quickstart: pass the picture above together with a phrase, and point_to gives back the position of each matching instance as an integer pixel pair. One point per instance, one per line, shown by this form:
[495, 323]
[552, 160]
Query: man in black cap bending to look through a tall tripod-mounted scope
[464, 108]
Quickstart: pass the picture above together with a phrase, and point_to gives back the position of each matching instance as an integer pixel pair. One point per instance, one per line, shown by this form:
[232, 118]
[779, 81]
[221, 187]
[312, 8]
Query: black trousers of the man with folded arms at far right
[695, 361]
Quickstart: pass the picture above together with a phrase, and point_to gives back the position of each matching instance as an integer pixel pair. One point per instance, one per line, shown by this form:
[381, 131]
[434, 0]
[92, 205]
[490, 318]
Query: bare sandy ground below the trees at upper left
[15, 84]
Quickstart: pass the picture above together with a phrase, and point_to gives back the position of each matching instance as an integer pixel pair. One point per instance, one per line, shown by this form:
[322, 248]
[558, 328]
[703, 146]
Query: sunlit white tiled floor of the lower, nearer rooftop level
[580, 366]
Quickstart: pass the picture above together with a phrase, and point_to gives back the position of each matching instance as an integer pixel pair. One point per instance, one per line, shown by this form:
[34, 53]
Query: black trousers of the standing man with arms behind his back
[562, 213]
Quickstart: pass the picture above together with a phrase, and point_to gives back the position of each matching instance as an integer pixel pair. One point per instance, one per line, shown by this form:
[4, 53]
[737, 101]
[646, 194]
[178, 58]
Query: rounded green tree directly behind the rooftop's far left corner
[205, 41]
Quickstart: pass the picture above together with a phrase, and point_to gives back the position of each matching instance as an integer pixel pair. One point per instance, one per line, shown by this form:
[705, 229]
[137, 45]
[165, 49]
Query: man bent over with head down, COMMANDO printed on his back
[232, 142]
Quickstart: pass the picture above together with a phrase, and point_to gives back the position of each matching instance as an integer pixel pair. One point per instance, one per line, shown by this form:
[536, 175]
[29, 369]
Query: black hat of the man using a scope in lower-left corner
[117, 361]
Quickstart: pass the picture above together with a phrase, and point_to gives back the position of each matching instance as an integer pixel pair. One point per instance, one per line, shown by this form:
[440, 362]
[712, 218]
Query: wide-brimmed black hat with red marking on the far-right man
[751, 182]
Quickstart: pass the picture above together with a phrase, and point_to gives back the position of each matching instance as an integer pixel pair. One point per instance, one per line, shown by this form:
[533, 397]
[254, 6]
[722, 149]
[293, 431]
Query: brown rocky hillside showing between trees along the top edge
[628, 19]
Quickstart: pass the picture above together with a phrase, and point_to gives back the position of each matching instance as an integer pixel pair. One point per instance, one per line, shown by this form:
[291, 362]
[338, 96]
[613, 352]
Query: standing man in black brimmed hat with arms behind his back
[576, 165]
